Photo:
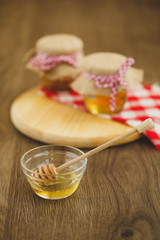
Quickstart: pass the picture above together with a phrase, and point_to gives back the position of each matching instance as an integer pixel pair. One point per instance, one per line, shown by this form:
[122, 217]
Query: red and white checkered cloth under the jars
[143, 102]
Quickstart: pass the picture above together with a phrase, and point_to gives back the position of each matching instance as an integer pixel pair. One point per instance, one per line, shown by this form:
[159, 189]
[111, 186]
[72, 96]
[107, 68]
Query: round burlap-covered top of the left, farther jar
[58, 44]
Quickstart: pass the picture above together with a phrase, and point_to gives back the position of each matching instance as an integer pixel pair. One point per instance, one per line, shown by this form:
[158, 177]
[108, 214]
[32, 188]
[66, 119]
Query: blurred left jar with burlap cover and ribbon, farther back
[56, 59]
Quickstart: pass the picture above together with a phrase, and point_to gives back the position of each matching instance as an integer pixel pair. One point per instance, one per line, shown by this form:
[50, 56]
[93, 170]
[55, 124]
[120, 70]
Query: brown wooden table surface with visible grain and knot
[119, 196]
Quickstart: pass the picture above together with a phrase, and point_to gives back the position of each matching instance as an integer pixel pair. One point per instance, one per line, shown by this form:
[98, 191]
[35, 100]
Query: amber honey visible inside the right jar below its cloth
[101, 104]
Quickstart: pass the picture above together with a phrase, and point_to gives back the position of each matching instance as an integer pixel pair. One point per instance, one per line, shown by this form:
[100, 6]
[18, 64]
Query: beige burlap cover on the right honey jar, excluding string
[104, 64]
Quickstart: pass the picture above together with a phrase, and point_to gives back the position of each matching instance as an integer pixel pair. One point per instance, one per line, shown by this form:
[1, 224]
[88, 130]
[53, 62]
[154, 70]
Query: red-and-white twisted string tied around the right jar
[112, 81]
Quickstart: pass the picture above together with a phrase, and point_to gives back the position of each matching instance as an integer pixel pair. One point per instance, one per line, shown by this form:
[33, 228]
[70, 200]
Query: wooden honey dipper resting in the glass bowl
[51, 171]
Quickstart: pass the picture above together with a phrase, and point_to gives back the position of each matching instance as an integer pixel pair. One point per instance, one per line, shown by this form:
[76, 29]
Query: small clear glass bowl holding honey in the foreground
[67, 180]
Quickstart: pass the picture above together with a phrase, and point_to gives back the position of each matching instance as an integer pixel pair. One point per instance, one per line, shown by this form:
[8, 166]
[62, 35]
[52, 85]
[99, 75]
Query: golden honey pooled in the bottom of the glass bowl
[55, 189]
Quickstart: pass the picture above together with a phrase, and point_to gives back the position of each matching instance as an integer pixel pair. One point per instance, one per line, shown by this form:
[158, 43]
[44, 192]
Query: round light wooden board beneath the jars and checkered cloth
[51, 122]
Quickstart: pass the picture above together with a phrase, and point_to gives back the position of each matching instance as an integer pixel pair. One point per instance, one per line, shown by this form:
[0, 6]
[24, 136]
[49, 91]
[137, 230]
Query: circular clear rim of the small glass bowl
[44, 146]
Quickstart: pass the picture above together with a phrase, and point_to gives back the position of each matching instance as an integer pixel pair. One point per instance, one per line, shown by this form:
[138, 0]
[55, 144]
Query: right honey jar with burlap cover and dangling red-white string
[105, 80]
